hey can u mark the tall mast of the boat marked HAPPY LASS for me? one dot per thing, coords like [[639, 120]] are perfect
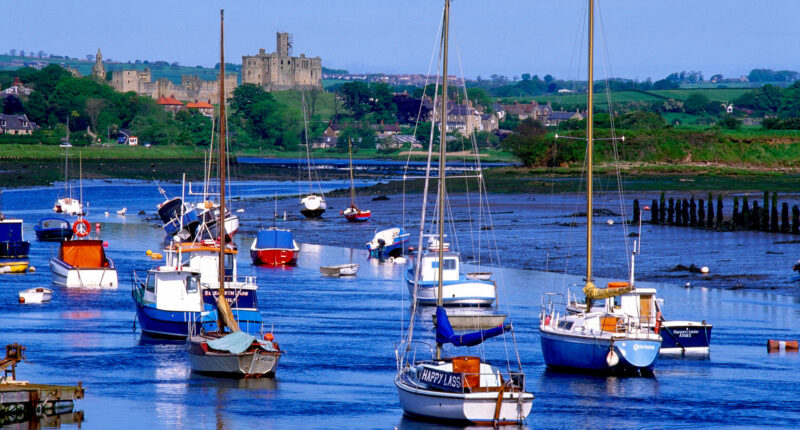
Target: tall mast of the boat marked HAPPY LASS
[[442, 155]]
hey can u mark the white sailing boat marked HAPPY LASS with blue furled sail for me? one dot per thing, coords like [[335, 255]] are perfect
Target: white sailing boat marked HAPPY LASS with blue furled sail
[[461, 388]]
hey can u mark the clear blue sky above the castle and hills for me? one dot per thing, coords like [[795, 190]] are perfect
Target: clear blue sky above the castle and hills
[[645, 38]]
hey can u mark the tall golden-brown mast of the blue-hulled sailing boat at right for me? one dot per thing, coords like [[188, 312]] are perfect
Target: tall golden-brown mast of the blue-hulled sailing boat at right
[[589, 142]]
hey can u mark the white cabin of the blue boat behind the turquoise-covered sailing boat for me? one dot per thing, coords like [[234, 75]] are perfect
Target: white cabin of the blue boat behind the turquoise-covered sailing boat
[[174, 289]]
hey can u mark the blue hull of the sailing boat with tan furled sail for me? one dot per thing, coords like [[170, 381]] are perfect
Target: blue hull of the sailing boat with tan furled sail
[[589, 353]]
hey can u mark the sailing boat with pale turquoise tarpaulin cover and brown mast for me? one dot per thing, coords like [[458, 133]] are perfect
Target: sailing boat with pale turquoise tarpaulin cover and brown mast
[[221, 347]]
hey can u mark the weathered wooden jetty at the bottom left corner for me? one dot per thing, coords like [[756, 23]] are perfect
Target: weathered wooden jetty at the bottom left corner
[[21, 400]]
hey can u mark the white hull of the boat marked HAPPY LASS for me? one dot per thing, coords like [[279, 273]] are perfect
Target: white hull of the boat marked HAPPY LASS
[[472, 408]]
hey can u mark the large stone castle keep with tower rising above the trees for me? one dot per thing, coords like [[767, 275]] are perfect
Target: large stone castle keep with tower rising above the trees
[[280, 70]]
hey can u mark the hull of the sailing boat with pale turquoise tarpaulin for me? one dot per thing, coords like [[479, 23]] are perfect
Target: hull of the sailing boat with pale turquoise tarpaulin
[[252, 364]]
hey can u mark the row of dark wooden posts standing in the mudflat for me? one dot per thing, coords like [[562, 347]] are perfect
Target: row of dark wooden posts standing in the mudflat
[[701, 214]]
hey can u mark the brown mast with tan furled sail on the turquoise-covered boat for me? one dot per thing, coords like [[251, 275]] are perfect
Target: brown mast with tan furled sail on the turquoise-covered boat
[[224, 314]]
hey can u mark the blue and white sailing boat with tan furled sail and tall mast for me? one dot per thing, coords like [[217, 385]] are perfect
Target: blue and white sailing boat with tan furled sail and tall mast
[[600, 340]]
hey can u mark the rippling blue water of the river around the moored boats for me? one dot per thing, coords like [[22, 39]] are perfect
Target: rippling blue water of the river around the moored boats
[[340, 334]]
